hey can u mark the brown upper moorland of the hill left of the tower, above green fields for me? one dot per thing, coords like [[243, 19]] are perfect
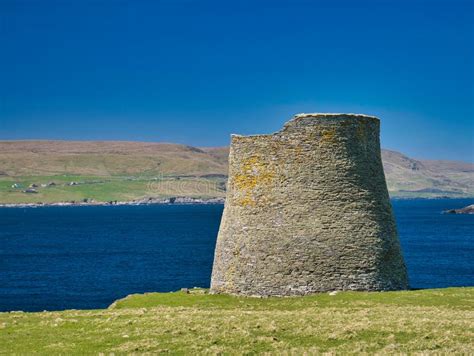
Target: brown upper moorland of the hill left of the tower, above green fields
[[105, 158]]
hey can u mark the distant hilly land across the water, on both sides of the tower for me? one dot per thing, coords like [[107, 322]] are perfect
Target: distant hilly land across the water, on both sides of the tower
[[35, 172]]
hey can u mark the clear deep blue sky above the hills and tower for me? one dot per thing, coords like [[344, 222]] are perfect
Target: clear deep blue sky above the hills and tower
[[196, 71]]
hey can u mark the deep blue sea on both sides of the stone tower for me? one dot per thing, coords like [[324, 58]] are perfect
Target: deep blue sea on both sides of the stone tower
[[55, 258]]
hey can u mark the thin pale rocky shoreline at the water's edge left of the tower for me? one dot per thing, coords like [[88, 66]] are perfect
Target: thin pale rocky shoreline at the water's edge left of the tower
[[146, 201]]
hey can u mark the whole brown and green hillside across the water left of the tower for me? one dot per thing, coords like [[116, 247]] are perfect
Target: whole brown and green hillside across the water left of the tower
[[107, 171]]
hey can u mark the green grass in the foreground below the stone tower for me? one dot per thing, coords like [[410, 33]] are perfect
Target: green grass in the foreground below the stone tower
[[428, 321]]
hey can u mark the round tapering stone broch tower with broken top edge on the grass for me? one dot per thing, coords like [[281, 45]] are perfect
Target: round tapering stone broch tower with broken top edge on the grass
[[308, 210]]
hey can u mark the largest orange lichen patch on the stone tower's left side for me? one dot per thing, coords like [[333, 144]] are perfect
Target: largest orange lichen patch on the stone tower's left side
[[253, 173]]
